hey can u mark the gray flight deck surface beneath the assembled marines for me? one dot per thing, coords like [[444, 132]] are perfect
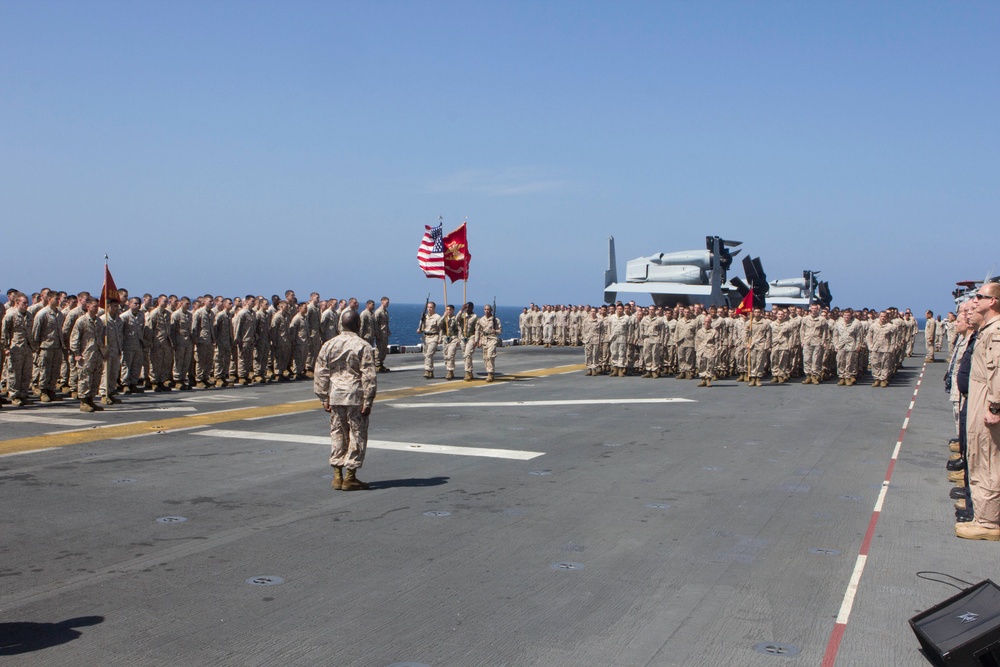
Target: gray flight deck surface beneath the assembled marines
[[683, 533]]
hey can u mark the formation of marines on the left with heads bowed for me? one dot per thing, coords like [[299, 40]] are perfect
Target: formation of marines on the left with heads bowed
[[54, 344]]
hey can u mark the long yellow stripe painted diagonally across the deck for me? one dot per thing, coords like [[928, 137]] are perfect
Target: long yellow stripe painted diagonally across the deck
[[108, 432]]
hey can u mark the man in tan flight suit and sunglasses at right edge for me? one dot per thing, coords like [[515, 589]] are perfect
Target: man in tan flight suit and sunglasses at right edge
[[983, 419]]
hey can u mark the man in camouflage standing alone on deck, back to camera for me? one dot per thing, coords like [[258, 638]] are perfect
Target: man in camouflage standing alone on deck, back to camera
[[346, 381]]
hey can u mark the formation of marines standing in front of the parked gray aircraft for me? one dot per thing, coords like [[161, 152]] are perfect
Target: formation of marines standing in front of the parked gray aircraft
[[709, 343]]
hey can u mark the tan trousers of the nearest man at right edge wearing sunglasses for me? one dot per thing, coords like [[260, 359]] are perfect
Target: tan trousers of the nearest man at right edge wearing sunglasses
[[983, 457]]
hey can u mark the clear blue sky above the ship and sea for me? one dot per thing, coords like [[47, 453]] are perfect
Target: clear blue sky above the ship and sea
[[229, 147]]
